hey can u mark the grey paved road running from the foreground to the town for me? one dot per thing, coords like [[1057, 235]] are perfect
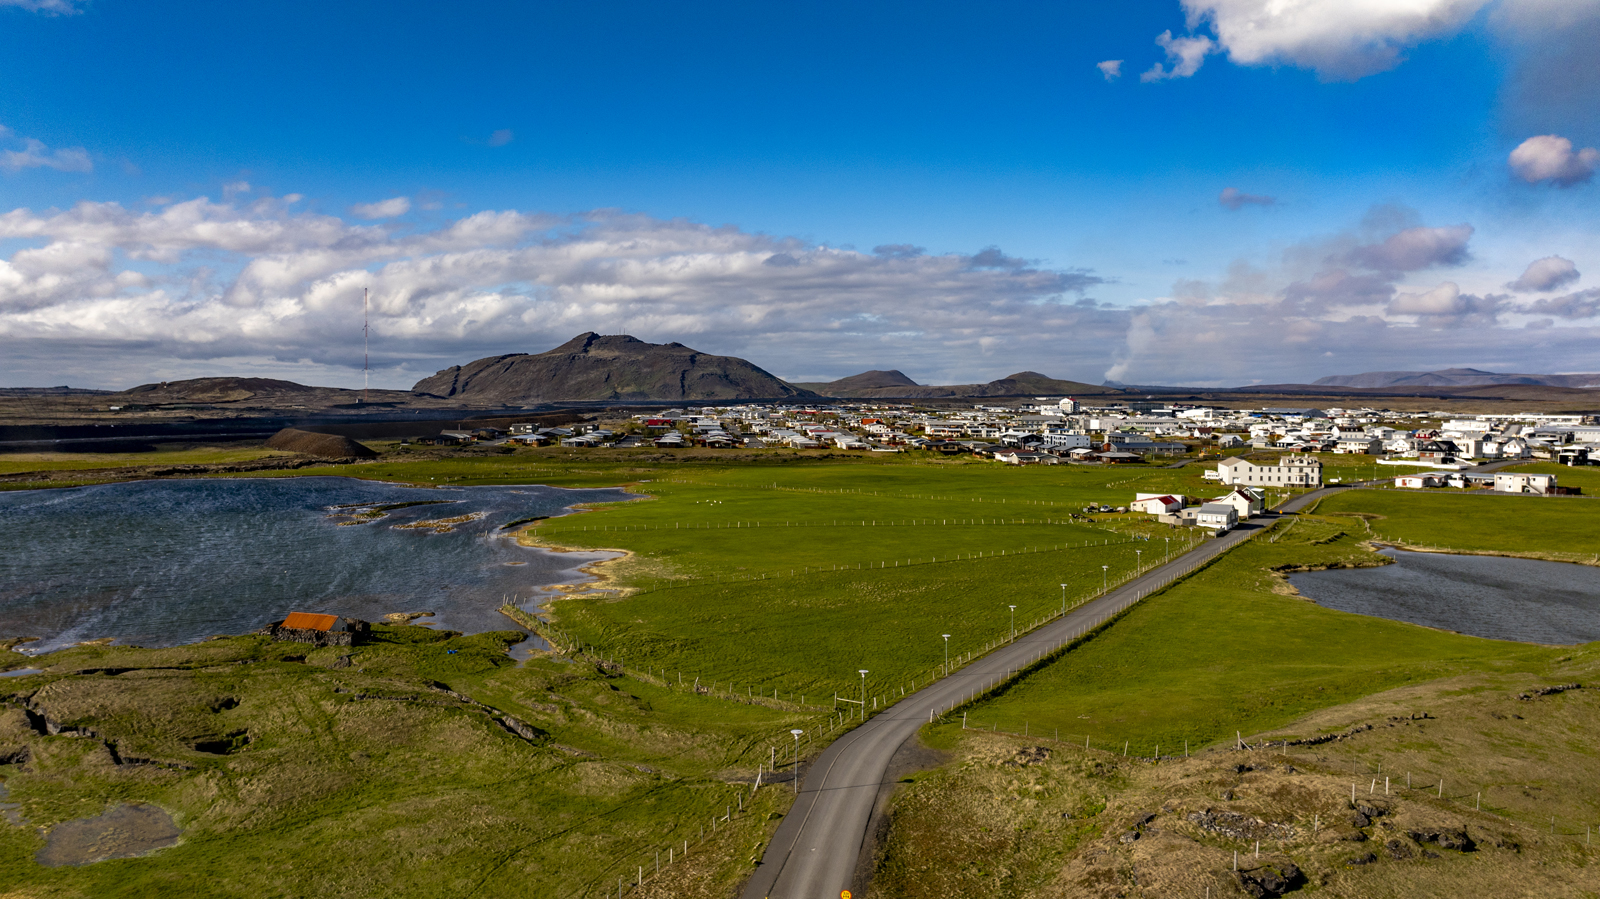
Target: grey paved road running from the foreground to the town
[[815, 852]]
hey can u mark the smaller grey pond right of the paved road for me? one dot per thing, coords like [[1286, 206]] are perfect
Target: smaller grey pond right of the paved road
[[1484, 596]]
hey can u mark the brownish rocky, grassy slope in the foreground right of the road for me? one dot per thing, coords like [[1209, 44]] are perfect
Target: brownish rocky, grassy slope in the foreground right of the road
[[1329, 813]]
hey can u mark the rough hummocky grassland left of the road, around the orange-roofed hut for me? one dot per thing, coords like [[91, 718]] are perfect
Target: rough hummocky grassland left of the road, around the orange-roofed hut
[[374, 781]]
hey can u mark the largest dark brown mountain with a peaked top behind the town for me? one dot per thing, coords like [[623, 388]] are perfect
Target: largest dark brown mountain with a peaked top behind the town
[[617, 367]]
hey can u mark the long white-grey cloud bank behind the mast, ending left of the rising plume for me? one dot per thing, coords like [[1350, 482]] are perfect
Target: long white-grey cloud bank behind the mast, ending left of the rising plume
[[106, 287]]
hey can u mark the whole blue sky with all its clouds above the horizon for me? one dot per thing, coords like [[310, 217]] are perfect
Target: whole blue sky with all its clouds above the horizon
[[204, 188]]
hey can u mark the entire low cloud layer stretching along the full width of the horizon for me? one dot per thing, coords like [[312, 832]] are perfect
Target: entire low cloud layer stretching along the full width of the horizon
[[102, 295]]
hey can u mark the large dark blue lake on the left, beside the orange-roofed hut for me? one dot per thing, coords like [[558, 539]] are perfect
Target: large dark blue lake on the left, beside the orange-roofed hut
[[159, 564]]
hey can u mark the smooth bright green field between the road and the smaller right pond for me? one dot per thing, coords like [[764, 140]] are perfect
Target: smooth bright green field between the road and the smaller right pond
[[1230, 650]]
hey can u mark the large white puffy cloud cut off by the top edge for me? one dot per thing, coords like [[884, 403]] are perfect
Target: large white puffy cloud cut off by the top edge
[[1338, 39]]
